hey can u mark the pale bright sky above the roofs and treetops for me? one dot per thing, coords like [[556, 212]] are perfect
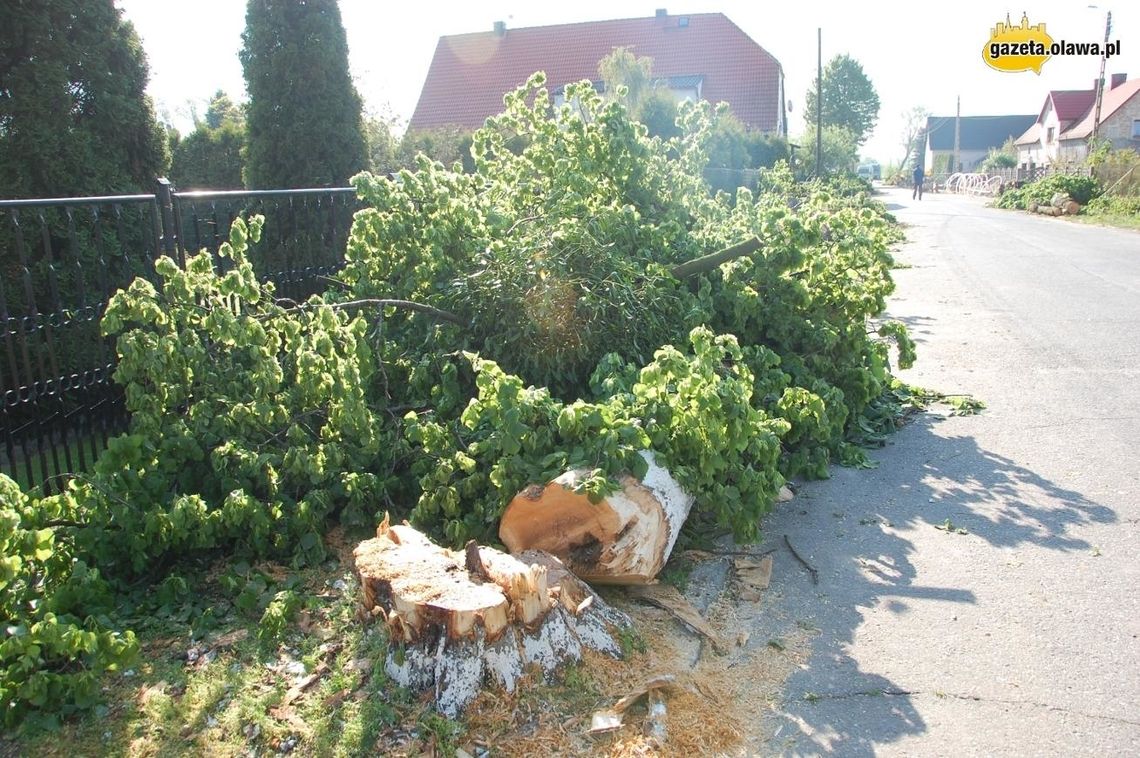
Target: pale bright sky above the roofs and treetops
[[915, 54]]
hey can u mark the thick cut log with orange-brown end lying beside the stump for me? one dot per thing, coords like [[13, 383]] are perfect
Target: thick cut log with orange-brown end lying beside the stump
[[624, 540]]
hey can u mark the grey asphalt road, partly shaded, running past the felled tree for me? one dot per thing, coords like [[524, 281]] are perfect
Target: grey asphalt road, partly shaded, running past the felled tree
[[1021, 637]]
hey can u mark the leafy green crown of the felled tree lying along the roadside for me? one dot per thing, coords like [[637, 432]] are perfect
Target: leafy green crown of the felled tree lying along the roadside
[[255, 423]]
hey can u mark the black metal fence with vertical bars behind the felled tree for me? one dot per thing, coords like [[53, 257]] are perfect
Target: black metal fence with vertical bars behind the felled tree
[[62, 259]]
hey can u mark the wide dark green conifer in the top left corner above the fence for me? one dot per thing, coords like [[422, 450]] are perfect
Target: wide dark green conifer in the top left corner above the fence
[[75, 118]]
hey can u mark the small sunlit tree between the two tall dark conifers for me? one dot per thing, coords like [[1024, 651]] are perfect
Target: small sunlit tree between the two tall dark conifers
[[210, 158]]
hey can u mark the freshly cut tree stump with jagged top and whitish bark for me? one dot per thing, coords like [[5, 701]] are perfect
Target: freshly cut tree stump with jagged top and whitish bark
[[457, 620]]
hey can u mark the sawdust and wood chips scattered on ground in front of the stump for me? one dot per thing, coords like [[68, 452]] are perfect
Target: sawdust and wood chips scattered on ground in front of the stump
[[714, 708]]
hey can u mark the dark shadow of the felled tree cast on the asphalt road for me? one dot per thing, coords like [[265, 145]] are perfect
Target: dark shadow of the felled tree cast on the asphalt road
[[857, 529]]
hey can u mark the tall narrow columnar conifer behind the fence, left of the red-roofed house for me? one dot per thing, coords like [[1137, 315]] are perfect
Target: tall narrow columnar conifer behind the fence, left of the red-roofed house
[[304, 123]]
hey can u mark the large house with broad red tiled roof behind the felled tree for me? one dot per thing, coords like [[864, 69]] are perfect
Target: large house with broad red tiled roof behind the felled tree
[[701, 56]]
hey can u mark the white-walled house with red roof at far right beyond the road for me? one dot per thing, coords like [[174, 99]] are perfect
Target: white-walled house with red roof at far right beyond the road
[[1062, 132]]
